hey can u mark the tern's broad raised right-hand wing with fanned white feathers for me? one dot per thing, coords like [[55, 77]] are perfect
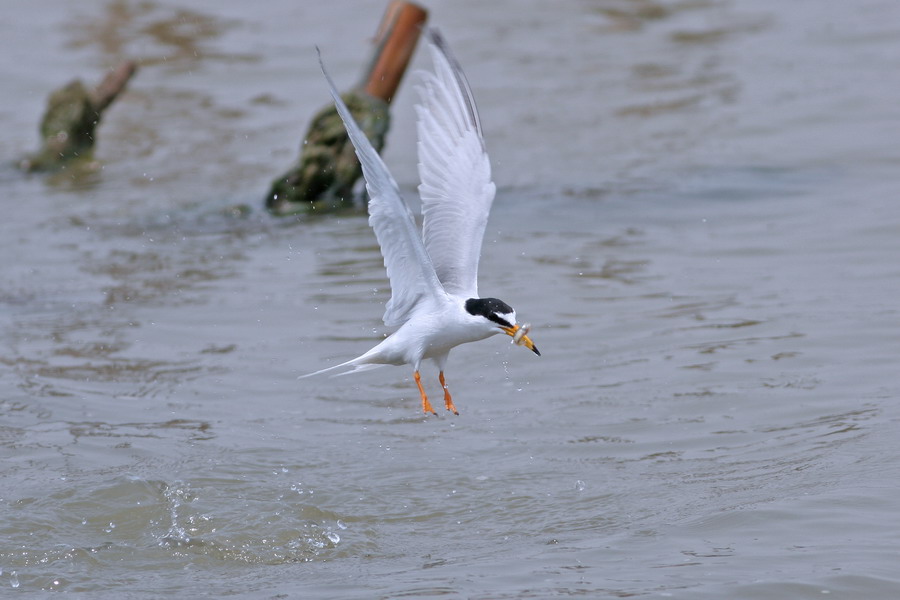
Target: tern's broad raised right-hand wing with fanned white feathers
[[456, 188]]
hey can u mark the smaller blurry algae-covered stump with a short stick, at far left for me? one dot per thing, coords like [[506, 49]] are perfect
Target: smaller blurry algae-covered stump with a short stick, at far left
[[70, 121]]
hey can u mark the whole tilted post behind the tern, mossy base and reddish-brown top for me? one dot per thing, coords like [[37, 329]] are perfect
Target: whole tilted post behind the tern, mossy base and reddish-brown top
[[327, 169]]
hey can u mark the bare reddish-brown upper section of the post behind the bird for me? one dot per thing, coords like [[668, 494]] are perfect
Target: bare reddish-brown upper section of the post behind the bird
[[395, 42]]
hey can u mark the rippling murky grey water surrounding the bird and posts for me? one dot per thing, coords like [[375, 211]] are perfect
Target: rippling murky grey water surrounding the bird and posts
[[697, 210]]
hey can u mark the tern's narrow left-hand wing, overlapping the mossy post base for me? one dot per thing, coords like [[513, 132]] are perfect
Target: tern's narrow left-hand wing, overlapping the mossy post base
[[408, 265]]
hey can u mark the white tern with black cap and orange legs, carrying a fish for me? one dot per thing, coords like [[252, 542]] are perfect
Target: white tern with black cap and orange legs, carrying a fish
[[433, 274]]
